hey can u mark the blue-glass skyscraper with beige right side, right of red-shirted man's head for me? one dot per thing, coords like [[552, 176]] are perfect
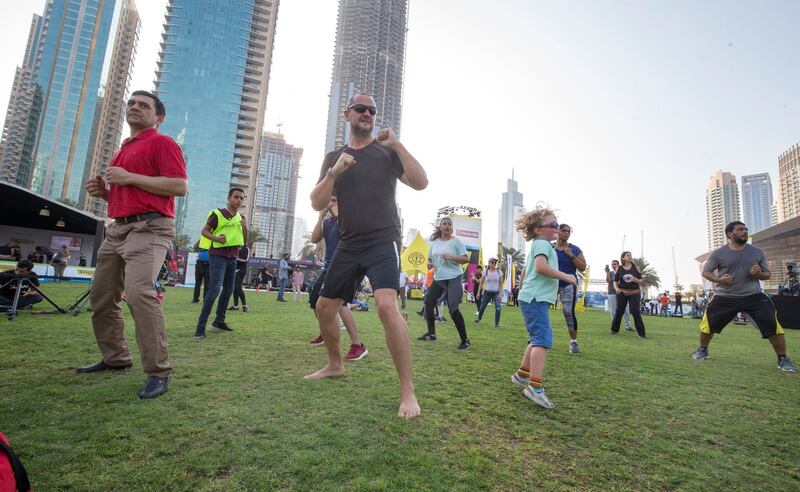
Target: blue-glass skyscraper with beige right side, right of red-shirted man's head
[[213, 77]]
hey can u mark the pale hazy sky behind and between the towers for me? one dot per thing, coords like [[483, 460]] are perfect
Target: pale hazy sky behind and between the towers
[[613, 112]]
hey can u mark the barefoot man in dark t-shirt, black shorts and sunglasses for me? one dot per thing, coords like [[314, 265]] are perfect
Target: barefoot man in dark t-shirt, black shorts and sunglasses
[[364, 175]]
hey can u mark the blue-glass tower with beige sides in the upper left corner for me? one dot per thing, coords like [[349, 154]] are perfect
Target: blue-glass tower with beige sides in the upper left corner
[[79, 57]]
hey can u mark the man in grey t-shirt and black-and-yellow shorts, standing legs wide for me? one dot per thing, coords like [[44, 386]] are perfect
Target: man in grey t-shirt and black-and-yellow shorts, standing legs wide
[[739, 267]]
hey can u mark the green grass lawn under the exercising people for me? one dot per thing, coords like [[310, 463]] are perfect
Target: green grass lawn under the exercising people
[[631, 414]]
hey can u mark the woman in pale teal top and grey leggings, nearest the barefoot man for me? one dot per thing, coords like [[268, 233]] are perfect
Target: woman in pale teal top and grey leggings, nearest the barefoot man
[[448, 254]]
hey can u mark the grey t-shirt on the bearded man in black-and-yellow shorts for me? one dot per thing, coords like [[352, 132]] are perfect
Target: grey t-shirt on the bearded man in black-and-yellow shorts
[[737, 264]]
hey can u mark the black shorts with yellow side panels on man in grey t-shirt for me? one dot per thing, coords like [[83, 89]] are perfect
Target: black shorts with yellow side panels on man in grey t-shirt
[[758, 307]]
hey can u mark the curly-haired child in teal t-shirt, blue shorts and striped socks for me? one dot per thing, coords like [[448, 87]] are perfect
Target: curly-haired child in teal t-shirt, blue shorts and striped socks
[[537, 294]]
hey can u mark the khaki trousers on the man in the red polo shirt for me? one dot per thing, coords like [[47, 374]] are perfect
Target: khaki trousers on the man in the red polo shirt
[[129, 261]]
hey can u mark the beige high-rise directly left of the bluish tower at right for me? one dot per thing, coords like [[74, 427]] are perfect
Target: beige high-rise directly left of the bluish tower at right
[[722, 206]]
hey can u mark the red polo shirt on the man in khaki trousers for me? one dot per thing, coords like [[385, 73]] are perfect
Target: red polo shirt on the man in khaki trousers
[[151, 154]]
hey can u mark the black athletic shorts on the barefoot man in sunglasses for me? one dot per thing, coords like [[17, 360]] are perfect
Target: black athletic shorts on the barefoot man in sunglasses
[[381, 263]]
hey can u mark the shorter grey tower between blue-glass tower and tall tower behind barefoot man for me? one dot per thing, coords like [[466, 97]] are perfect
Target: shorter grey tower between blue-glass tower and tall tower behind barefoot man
[[275, 195]]
